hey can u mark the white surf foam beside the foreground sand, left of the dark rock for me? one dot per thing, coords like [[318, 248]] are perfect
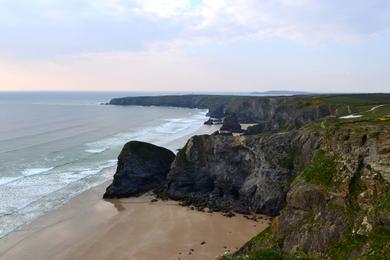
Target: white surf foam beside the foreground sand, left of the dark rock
[[27, 198]]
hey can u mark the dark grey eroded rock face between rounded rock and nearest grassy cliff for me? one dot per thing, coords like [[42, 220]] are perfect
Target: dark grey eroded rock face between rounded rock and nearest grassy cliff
[[243, 174]]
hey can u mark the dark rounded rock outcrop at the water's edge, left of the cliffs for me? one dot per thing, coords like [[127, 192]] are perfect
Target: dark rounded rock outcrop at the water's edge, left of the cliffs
[[142, 167]]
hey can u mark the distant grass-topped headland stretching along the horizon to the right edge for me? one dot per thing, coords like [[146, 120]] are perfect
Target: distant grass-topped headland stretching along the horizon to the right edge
[[270, 113]]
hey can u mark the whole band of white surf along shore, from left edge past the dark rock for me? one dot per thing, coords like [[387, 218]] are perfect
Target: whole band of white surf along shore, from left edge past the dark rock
[[41, 189]]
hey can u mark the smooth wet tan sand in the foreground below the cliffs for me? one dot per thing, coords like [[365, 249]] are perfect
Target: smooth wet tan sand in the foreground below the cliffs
[[88, 227]]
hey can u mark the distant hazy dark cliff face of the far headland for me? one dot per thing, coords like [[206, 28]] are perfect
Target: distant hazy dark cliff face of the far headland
[[272, 113]]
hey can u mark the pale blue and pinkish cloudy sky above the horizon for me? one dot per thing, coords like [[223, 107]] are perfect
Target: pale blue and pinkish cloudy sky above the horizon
[[195, 45]]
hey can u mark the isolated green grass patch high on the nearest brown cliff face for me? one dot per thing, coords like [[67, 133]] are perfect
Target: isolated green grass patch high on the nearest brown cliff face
[[320, 171]]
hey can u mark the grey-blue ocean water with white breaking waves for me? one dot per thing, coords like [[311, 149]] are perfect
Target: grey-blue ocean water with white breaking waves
[[54, 146]]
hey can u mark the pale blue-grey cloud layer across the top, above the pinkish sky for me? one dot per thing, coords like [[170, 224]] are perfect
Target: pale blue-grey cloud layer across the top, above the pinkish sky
[[61, 27]]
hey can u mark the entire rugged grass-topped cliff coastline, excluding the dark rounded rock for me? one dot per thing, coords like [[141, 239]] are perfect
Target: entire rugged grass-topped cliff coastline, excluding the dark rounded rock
[[327, 179]]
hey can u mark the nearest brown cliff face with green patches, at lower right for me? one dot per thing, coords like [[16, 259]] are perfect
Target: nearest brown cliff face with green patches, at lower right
[[339, 205]]
